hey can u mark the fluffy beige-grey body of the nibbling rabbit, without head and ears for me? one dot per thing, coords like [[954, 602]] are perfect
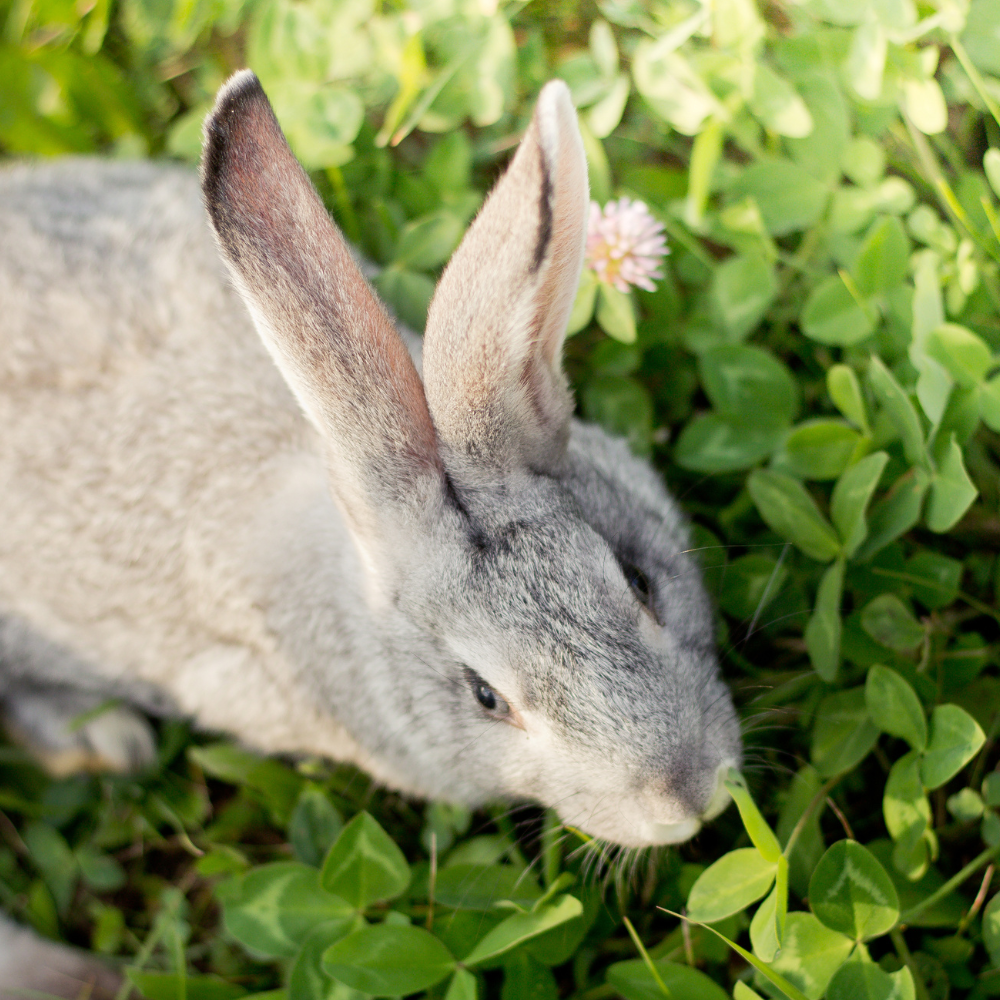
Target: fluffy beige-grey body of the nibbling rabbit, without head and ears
[[157, 470]]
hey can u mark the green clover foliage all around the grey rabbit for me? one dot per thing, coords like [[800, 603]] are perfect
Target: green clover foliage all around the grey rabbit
[[815, 376]]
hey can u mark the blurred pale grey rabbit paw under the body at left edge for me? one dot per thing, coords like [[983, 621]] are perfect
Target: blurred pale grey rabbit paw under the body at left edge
[[71, 732]]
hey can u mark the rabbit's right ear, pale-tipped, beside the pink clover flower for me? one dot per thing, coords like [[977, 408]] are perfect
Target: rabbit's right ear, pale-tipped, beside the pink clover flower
[[492, 351]]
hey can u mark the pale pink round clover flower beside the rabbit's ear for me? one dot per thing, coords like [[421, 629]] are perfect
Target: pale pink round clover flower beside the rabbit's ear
[[625, 244]]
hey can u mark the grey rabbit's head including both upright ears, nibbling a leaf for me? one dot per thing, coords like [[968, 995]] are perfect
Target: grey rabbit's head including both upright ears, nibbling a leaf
[[545, 634]]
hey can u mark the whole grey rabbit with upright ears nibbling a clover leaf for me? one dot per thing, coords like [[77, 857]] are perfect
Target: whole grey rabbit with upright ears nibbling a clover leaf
[[291, 536]]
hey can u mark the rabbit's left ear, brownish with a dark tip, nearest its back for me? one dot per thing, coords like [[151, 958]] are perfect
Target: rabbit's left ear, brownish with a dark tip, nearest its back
[[335, 346]]
